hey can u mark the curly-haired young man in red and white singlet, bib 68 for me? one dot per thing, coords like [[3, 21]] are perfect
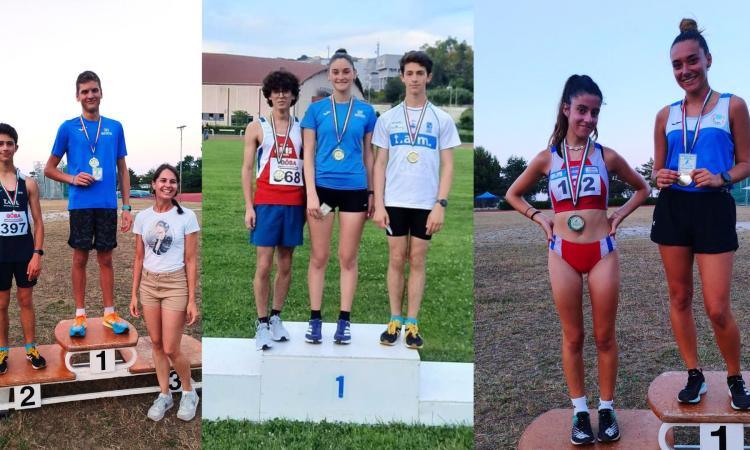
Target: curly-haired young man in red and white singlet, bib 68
[[276, 213]]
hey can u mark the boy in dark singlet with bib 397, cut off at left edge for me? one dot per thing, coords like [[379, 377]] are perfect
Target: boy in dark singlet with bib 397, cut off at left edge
[[20, 248]]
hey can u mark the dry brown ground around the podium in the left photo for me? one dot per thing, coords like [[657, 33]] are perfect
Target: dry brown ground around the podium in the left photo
[[105, 423]]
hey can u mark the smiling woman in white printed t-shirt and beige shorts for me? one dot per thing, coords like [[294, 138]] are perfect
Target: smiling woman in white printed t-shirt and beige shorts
[[165, 273]]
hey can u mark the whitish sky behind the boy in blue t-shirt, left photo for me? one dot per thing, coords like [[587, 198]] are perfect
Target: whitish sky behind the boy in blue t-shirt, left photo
[[147, 54]]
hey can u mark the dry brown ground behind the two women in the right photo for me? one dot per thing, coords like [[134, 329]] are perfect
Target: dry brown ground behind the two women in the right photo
[[518, 370]]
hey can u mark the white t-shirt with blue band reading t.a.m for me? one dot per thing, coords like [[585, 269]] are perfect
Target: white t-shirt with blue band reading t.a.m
[[413, 172]]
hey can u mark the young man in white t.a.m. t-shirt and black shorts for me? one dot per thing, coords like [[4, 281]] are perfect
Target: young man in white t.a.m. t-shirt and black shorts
[[412, 178]]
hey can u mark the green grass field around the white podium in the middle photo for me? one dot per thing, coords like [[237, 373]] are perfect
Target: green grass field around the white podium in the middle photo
[[446, 319]]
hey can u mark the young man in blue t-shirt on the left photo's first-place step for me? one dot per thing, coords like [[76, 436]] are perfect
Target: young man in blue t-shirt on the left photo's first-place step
[[95, 148]]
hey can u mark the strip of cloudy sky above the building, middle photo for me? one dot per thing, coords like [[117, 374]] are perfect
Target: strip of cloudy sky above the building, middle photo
[[289, 30]]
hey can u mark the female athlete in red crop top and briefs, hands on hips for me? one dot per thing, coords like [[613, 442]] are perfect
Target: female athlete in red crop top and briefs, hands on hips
[[580, 235]]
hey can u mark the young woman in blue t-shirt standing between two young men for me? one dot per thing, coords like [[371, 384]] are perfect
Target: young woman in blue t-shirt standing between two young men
[[337, 131]]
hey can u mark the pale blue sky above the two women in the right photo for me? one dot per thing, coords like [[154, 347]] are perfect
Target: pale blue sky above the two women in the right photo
[[525, 51]]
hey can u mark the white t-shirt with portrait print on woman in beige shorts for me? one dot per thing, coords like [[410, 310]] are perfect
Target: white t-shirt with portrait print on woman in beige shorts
[[163, 236]]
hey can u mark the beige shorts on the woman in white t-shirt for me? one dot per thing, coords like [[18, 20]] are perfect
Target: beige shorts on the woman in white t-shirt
[[166, 290]]
